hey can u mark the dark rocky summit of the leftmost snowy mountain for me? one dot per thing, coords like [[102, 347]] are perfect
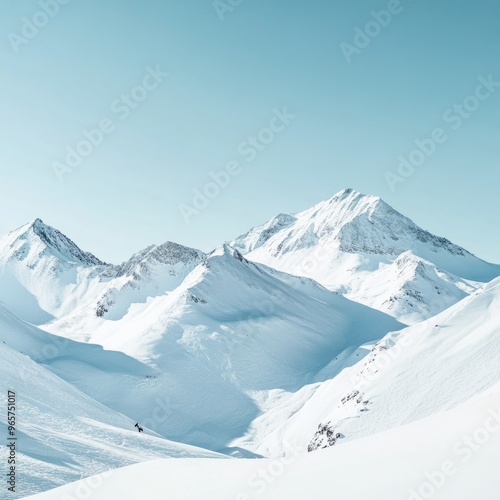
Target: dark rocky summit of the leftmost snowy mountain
[[55, 241]]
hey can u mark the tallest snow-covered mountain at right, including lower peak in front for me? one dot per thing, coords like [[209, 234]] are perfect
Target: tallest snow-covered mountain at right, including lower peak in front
[[361, 247]]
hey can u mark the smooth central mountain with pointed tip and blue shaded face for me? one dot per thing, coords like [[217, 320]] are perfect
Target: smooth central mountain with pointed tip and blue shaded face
[[230, 334]]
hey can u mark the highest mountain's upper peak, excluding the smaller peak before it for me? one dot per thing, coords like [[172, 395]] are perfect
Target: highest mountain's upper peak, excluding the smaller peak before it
[[352, 228]]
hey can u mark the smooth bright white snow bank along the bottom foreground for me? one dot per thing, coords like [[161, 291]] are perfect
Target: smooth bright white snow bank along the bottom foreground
[[403, 463]]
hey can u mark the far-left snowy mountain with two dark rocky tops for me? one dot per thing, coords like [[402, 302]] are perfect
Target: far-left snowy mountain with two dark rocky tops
[[44, 276]]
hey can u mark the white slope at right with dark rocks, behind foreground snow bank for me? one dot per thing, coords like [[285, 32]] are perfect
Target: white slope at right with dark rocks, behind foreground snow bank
[[411, 374]]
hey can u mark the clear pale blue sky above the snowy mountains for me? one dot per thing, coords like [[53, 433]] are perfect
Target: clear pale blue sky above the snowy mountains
[[353, 120]]
